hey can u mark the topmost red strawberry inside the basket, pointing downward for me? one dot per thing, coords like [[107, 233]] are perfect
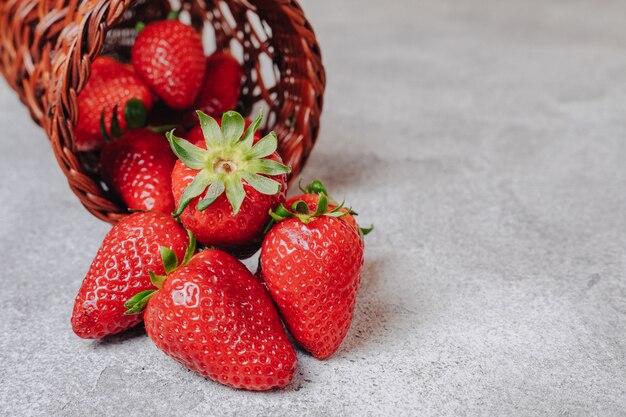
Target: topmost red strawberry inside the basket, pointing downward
[[169, 56]]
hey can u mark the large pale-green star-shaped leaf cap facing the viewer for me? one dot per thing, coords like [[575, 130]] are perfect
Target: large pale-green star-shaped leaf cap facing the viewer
[[231, 158]]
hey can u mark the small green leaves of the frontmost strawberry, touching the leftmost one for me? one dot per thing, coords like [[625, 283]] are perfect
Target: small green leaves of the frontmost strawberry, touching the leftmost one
[[138, 302]]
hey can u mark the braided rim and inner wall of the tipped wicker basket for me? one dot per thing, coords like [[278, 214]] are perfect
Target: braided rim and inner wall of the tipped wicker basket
[[283, 75]]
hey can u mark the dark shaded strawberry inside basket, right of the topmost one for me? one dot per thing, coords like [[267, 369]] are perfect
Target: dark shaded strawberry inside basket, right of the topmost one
[[222, 85]]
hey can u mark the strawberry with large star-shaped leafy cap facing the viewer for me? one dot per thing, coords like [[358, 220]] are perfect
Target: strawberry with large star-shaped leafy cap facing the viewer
[[226, 184]]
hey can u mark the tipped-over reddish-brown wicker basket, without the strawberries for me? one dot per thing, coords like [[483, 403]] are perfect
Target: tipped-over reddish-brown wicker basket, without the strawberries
[[47, 46]]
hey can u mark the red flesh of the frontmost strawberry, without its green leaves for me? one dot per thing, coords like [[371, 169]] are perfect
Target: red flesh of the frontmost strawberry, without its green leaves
[[215, 318]]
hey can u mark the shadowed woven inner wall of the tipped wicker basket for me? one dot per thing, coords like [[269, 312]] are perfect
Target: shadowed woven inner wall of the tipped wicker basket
[[226, 26]]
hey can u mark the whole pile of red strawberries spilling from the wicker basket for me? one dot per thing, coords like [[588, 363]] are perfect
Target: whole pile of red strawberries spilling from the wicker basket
[[202, 201]]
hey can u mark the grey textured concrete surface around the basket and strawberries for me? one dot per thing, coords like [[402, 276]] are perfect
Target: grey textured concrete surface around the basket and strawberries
[[487, 142]]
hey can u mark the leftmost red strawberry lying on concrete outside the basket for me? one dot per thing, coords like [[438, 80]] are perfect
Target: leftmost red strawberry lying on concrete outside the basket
[[121, 269]]
